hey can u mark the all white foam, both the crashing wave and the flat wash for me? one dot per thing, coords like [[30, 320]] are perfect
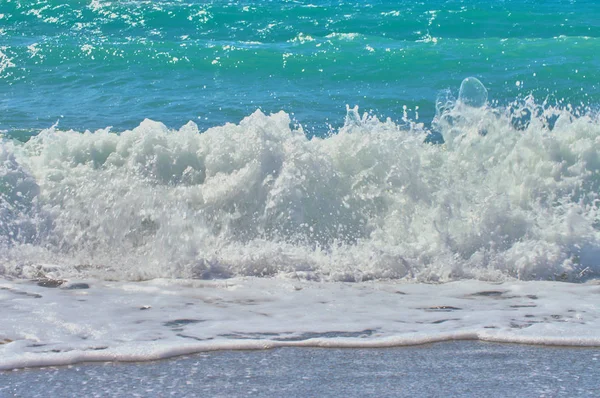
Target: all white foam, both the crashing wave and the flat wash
[[511, 194]]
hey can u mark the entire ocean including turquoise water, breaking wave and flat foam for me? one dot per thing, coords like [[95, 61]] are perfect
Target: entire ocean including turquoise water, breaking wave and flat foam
[[180, 176]]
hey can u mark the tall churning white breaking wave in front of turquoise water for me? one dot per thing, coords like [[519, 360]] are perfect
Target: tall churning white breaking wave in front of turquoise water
[[511, 194]]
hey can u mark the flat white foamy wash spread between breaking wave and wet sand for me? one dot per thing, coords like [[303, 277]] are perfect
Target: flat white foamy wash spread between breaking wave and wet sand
[[134, 321]]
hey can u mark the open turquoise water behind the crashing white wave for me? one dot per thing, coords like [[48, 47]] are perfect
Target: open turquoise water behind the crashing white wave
[[93, 64]]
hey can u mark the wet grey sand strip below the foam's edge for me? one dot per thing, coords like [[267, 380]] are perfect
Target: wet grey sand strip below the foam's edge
[[452, 369]]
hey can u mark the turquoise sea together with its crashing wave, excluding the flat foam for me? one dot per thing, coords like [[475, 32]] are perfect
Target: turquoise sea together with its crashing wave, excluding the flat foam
[[212, 139]]
